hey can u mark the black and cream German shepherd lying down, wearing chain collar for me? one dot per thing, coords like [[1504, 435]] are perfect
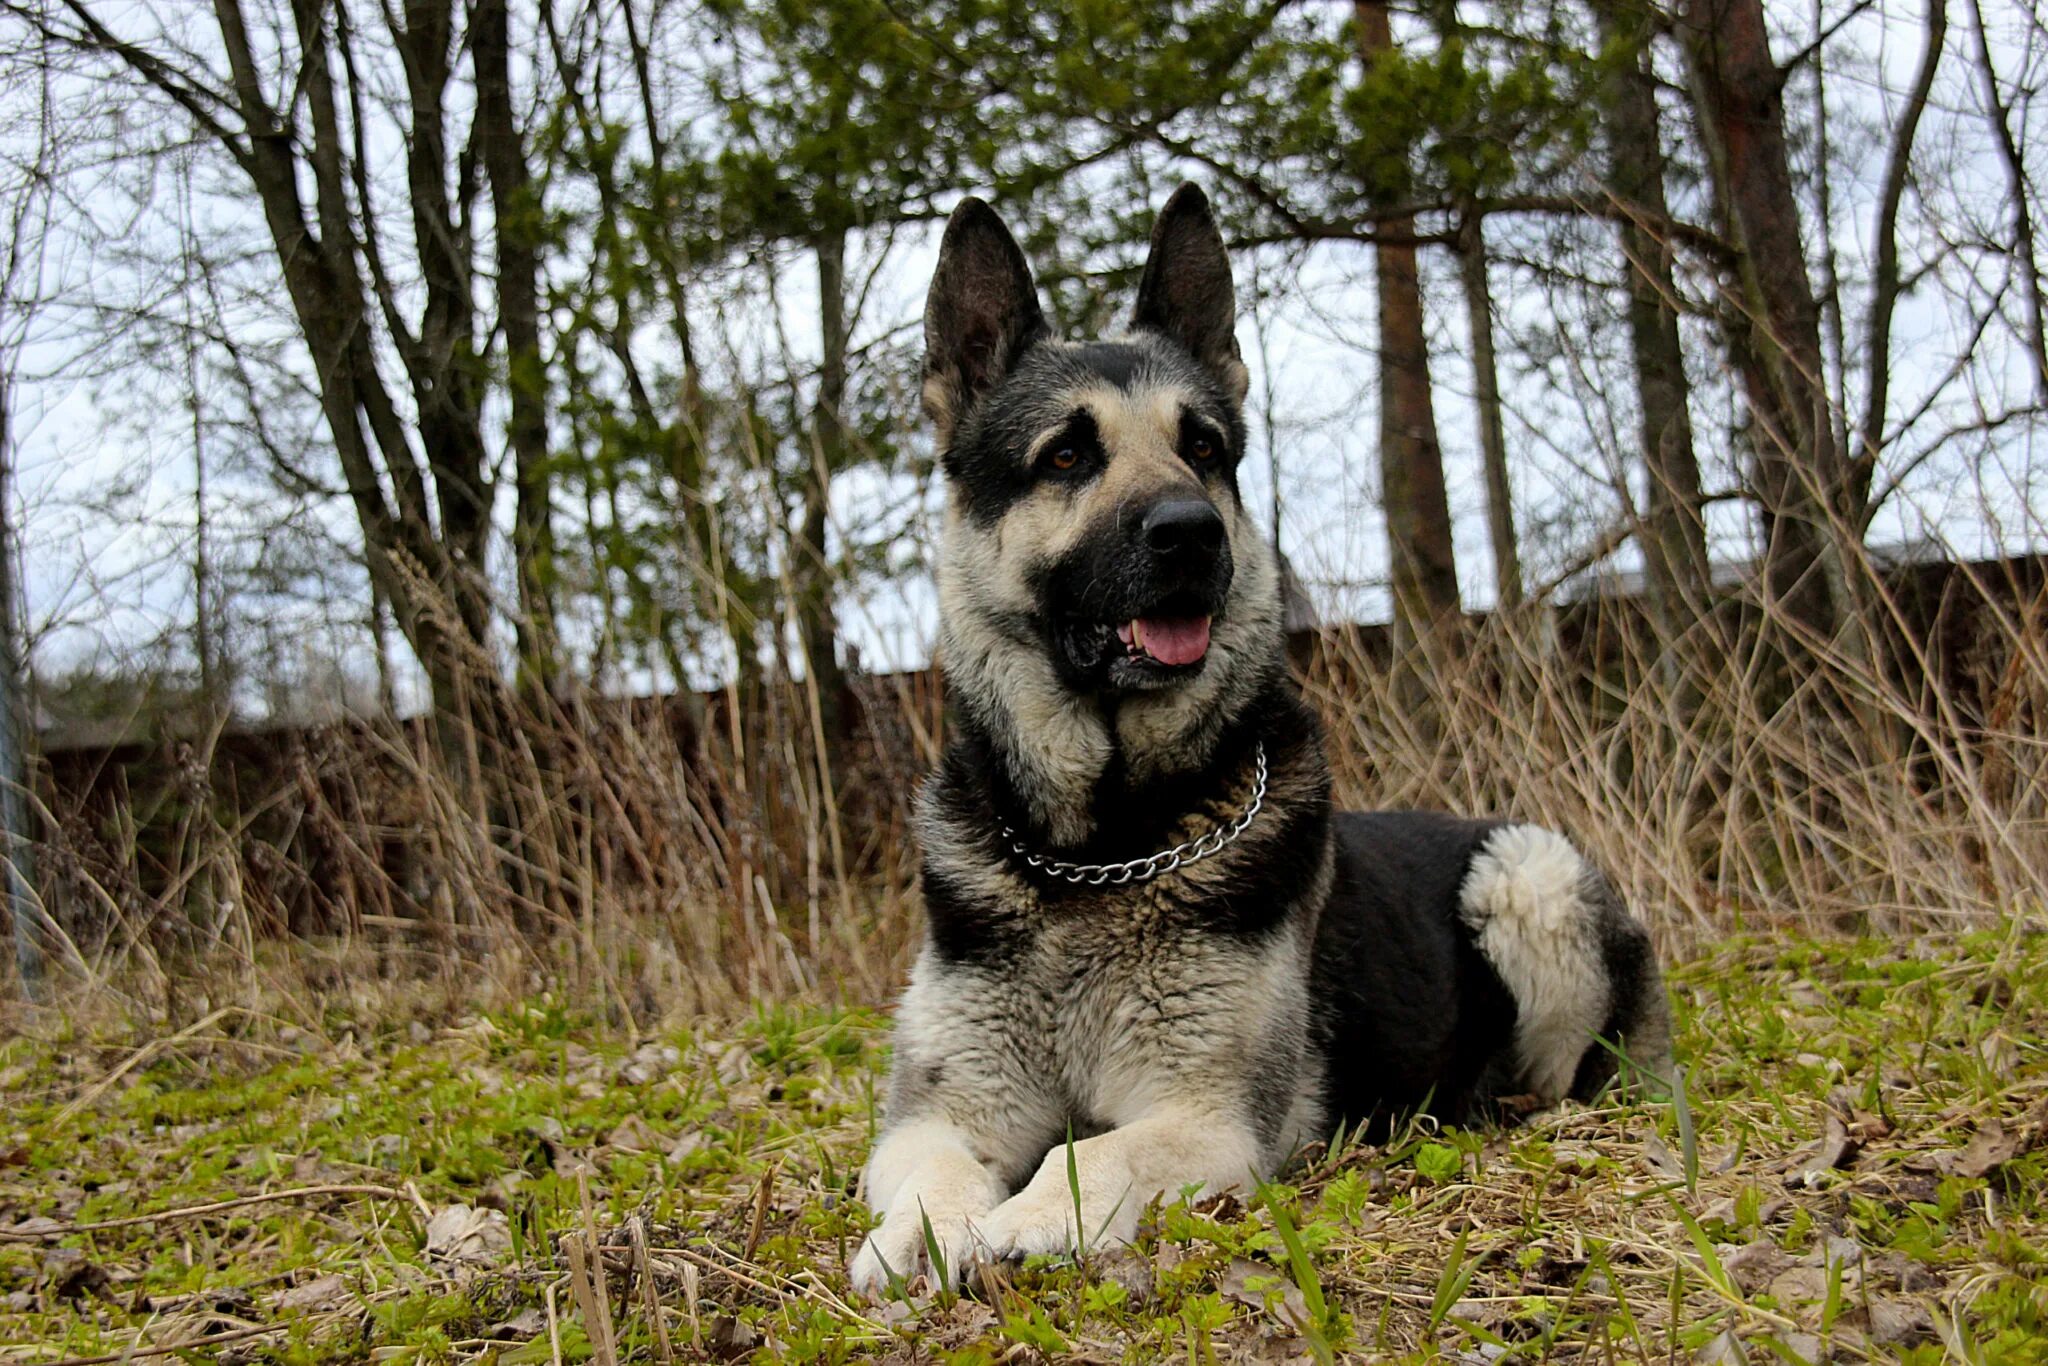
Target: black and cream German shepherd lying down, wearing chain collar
[[1148, 933]]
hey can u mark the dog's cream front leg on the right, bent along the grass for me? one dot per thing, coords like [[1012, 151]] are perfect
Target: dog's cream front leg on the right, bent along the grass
[[1117, 1177]]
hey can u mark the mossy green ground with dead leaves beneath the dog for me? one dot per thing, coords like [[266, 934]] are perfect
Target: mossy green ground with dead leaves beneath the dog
[[1857, 1166]]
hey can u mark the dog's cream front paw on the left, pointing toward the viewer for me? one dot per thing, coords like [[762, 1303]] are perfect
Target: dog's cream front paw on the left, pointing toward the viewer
[[923, 1172]]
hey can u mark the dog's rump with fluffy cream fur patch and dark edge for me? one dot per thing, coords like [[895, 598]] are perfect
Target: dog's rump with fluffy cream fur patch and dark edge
[[1576, 962]]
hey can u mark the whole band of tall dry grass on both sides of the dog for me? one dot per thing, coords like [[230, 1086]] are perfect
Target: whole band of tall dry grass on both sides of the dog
[[693, 859]]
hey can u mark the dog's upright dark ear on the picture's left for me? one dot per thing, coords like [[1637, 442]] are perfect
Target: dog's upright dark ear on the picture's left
[[980, 318]]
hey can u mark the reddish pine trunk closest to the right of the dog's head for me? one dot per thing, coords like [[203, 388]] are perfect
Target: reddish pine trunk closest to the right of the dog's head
[[1412, 464]]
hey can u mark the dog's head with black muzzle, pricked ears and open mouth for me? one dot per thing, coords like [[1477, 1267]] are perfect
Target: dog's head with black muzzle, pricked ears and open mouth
[[1093, 486]]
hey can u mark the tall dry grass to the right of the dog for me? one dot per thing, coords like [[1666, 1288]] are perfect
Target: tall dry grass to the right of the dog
[[1887, 787]]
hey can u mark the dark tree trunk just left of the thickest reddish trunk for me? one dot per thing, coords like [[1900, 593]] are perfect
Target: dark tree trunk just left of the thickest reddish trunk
[[1674, 552]]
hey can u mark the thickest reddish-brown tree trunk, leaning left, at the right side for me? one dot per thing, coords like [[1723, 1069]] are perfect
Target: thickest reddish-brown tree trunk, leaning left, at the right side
[[1801, 476]]
